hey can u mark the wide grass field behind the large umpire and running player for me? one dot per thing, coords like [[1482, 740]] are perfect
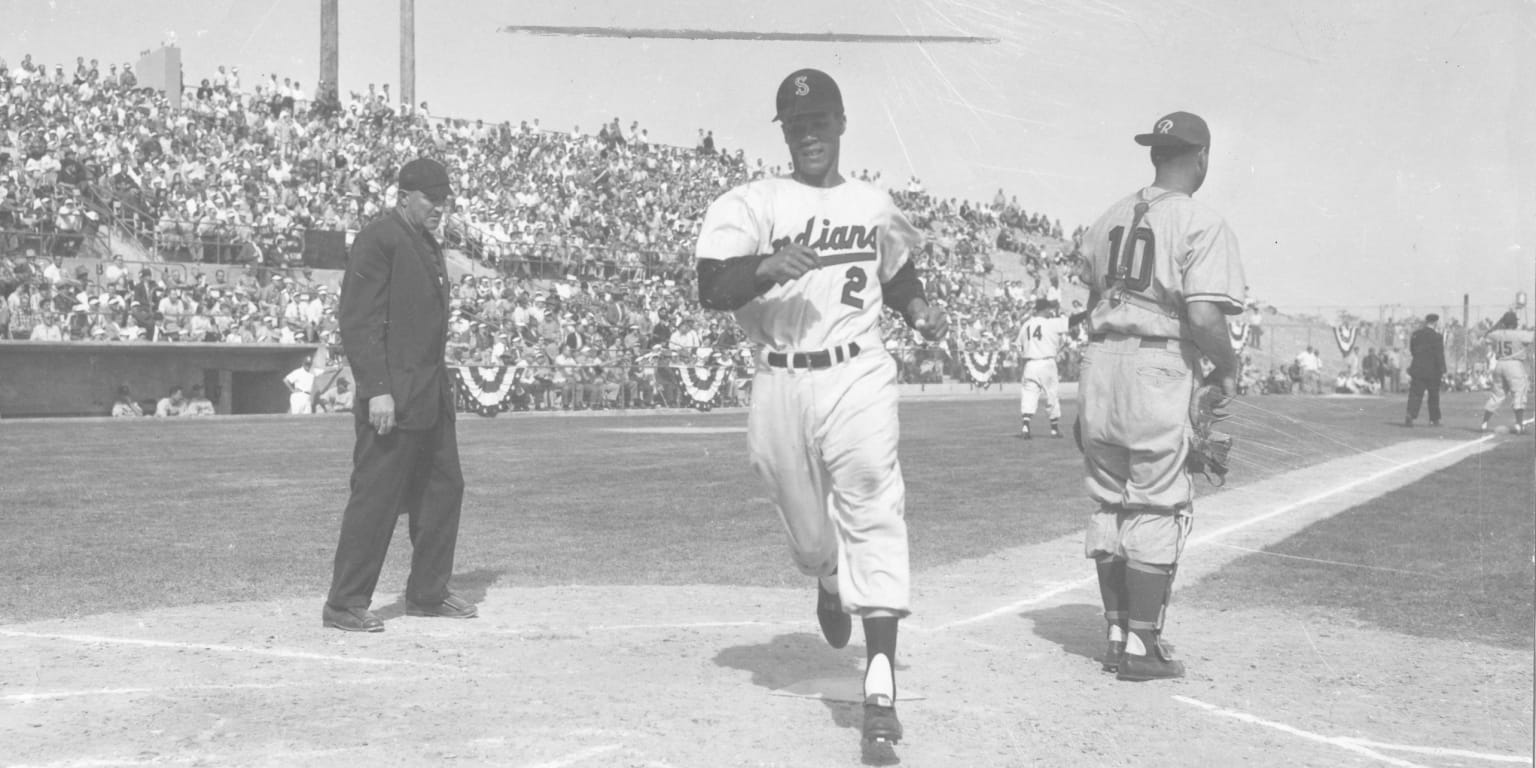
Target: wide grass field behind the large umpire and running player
[[116, 517]]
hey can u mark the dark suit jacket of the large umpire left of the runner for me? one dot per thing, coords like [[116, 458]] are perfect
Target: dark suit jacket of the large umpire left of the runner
[[396, 320]]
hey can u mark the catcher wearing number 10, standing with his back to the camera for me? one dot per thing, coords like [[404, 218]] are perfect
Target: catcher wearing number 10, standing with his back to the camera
[[1165, 273]]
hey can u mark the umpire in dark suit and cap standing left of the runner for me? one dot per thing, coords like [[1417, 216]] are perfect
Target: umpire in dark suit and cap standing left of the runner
[[394, 328]]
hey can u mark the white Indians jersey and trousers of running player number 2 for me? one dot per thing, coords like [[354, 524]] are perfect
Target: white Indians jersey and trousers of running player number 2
[[826, 440]]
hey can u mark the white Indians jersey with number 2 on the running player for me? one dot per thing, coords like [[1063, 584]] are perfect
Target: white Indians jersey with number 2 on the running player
[[856, 230]]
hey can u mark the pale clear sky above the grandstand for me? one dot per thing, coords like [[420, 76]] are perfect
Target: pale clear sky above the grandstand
[[1366, 151]]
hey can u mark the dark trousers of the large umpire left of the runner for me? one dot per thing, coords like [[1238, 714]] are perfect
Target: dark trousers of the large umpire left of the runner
[[406, 472]]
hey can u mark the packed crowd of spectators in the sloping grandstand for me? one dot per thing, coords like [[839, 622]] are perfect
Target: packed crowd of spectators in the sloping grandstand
[[584, 237]]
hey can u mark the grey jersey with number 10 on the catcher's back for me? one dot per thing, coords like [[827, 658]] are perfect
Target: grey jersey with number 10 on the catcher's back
[[1180, 253]]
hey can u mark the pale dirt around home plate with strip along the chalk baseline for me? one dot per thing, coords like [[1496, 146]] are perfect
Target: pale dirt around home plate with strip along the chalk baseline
[[1002, 654]]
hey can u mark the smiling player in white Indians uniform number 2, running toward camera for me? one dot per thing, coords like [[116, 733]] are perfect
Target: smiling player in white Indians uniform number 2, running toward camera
[[806, 265]]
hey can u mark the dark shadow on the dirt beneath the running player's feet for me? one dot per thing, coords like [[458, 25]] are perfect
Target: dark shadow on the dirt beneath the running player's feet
[[796, 658]]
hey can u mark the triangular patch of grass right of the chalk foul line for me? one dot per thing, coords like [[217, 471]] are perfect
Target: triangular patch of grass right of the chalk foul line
[[1466, 534]]
